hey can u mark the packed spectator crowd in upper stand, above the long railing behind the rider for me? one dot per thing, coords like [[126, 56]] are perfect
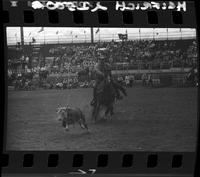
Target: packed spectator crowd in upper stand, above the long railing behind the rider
[[145, 54]]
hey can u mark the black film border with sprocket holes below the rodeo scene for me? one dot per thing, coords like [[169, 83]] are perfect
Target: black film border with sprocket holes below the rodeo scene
[[99, 162]]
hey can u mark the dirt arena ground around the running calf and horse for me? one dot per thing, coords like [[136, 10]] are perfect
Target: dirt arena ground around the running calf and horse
[[148, 119]]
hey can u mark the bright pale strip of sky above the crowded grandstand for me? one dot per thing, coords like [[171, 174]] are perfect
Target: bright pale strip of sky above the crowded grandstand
[[49, 35]]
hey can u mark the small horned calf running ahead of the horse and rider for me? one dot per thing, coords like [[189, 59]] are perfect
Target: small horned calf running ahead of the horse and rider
[[71, 116]]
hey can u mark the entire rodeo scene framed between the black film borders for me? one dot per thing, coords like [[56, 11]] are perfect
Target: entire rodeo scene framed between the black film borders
[[106, 89]]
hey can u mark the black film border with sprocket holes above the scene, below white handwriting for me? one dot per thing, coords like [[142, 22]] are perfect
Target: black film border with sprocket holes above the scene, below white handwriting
[[25, 15]]
